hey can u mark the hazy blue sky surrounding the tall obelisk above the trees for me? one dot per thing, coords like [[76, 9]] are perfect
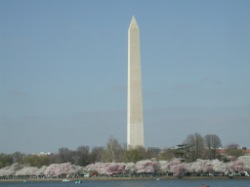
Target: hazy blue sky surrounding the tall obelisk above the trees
[[63, 71]]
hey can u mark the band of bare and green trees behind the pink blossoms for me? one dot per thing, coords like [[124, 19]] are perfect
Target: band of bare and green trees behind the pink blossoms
[[193, 147]]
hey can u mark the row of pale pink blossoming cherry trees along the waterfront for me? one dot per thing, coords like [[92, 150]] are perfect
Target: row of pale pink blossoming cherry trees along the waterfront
[[175, 166]]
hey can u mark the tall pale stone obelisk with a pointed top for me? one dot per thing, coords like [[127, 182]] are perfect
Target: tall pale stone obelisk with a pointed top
[[135, 129]]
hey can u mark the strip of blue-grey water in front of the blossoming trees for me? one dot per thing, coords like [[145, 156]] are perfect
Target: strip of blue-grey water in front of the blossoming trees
[[138, 183]]
